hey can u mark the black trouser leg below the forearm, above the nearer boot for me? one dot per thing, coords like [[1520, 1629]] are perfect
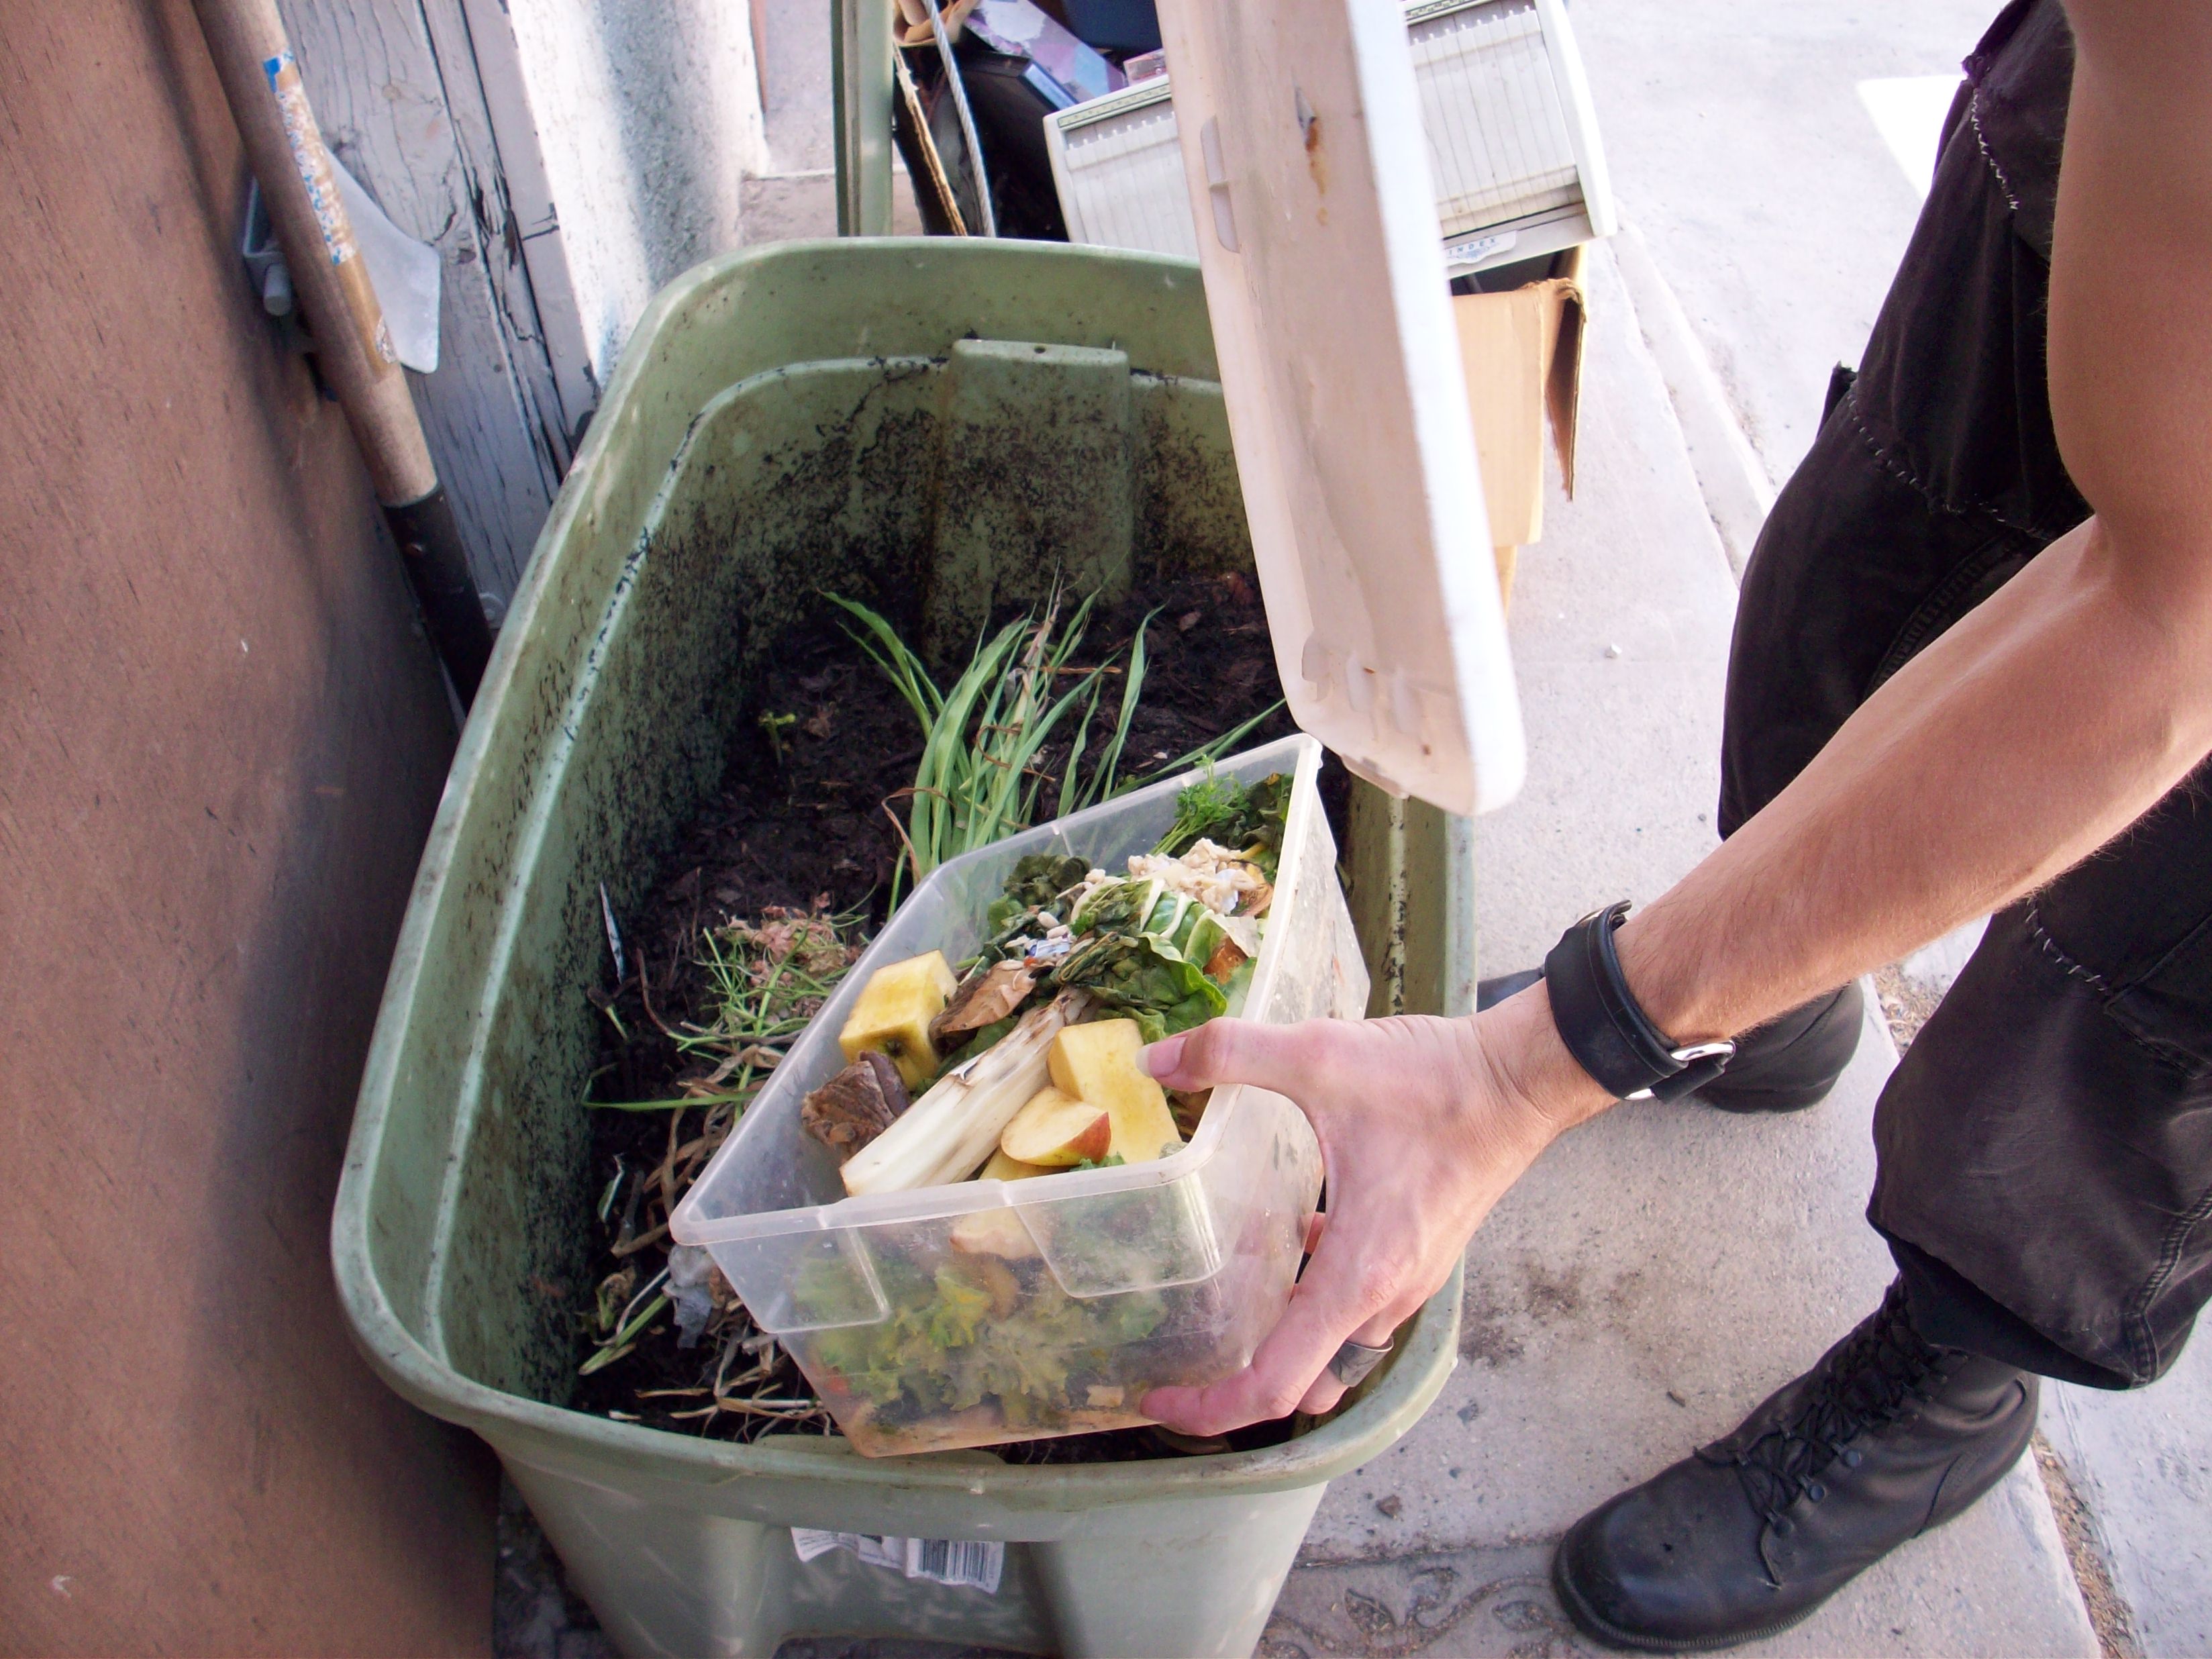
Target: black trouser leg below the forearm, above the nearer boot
[[2049, 1134]]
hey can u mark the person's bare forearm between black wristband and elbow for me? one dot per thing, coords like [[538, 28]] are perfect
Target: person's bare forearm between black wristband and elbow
[[2021, 742]]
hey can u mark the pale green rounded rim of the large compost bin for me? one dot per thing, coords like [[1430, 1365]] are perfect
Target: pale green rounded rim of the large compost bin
[[1384, 1410]]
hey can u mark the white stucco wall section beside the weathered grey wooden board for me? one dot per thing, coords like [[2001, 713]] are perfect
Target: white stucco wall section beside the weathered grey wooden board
[[649, 114]]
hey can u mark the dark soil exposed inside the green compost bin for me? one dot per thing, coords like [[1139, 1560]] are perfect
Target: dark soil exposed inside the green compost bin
[[802, 828]]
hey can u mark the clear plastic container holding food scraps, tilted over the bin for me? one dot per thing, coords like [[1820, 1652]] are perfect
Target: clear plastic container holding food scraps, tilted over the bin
[[1012, 1311]]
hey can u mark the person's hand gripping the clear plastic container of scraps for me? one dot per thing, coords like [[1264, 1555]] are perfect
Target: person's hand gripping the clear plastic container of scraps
[[1423, 1127]]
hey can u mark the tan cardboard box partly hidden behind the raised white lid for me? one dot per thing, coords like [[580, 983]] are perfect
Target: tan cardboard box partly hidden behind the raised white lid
[[1521, 351]]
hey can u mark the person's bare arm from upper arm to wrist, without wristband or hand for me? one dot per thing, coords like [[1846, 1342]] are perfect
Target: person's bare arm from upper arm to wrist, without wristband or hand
[[2063, 707]]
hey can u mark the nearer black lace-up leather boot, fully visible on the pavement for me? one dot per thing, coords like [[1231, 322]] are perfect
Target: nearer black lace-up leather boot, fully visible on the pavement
[[1881, 1441]]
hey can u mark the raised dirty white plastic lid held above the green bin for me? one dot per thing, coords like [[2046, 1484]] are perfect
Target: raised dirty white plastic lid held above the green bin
[[1342, 371]]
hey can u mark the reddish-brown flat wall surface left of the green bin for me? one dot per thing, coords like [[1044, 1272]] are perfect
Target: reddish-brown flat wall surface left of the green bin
[[222, 742]]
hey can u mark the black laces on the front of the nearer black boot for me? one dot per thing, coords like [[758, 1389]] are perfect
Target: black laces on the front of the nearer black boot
[[1884, 1366]]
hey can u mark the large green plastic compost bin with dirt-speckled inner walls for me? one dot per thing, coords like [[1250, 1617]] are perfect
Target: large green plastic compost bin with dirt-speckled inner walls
[[917, 421]]
